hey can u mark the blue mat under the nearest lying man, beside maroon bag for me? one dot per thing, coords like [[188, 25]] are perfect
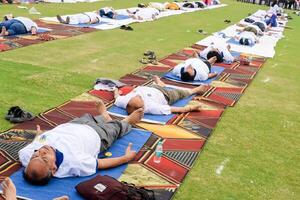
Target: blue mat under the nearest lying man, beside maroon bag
[[66, 186]]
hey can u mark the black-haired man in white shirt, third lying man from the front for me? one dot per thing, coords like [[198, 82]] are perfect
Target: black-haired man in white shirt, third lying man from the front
[[195, 69]]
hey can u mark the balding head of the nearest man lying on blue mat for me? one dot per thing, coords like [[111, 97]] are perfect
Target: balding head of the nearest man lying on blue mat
[[41, 166]]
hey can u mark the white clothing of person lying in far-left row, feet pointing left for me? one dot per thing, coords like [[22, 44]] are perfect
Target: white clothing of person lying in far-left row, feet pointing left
[[84, 18]]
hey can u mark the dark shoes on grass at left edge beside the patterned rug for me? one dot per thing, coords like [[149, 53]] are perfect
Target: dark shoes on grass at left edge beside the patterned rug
[[16, 115]]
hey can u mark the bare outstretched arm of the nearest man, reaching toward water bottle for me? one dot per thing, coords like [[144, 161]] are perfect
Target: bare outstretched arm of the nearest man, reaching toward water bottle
[[105, 163]]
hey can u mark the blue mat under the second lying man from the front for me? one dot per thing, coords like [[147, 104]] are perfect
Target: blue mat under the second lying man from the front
[[158, 119]]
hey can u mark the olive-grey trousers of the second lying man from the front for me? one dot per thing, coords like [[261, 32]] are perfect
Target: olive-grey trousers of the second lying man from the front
[[172, 95]]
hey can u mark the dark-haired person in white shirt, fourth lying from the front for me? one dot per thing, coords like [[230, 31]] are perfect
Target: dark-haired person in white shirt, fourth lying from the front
[[220, 50]]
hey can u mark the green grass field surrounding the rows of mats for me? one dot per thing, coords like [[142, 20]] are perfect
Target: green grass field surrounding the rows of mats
[[257, 142]]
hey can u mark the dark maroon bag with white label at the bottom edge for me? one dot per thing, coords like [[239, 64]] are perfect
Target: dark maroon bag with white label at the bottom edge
[[108, 188]]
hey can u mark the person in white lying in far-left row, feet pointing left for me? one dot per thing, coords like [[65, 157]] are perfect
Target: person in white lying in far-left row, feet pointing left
[[81, 18]]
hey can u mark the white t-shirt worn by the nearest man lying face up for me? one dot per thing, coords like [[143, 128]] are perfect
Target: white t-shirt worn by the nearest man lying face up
[[79, 143]]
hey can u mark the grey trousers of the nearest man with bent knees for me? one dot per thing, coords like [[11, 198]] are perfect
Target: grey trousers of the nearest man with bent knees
[[108, 131]]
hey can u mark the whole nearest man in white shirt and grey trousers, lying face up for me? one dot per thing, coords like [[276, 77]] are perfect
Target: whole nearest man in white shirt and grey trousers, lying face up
[[72, 149]]
